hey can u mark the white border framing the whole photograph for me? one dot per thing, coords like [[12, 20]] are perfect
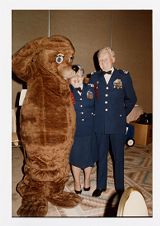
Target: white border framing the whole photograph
[[5, 87]]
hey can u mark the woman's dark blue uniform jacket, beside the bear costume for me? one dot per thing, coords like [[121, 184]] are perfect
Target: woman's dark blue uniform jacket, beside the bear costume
[[84, 107]]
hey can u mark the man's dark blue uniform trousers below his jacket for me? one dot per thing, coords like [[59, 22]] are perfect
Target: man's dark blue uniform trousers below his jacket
[[115, 143]]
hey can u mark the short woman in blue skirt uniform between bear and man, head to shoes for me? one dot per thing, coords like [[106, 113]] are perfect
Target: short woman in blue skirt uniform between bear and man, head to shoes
[[83, 155]]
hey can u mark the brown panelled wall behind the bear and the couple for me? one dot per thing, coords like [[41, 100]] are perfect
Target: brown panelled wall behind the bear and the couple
[[128, 31]]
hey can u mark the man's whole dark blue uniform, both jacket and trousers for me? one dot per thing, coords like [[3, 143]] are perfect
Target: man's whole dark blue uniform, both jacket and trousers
[[112, 105]]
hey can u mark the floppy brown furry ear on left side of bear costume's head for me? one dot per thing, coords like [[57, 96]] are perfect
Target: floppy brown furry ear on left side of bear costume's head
[[22, 60]]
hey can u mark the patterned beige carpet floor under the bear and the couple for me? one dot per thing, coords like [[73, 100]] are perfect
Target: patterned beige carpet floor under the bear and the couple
[[138, 174]]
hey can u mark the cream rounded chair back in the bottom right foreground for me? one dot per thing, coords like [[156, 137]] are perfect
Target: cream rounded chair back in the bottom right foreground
[[132, 203]]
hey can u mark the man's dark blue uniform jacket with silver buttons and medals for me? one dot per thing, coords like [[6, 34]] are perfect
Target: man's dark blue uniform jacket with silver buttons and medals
[[113, 102]]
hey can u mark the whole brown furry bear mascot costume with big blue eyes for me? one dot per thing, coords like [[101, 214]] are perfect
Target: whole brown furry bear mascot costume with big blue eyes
[[47, 123]]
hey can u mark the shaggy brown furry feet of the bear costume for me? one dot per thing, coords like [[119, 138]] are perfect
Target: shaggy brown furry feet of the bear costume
[[35, 197]]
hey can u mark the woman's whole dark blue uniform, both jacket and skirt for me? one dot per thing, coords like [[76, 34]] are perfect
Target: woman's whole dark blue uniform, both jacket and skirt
[[83, 152]]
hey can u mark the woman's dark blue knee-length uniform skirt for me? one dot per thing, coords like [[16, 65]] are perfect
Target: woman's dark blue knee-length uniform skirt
[[84, 152]]
